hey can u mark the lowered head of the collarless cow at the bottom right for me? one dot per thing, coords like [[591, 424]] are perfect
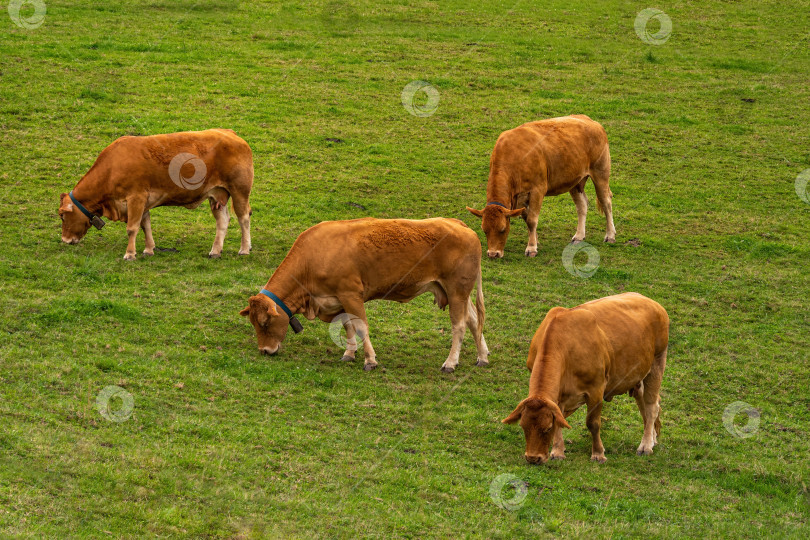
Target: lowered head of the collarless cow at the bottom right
[[538, 418]]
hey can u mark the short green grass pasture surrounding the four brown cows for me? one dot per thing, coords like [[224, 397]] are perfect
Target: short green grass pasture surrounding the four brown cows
[[708, 133]]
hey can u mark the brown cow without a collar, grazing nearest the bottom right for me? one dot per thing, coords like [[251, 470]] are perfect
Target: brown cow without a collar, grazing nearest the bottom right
[[588, 354]]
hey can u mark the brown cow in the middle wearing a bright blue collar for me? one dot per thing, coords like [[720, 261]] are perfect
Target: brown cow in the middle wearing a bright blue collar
[[335, 267]]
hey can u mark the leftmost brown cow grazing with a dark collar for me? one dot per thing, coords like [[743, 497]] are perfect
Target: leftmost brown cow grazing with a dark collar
[[135, 174]]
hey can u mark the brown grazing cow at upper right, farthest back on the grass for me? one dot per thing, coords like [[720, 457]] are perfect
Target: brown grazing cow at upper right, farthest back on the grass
[[541, 159]]
